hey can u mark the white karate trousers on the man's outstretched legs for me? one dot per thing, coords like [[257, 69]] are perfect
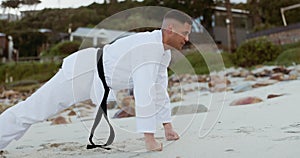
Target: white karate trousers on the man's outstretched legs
[[54, 96]]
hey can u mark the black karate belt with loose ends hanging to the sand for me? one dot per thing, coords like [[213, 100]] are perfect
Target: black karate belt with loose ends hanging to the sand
[[102, 109]]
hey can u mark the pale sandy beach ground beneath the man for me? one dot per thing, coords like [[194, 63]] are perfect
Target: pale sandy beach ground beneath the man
[[267, 129]]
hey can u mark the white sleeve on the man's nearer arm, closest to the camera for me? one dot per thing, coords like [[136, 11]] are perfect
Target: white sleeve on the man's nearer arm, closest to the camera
[[144, 79]]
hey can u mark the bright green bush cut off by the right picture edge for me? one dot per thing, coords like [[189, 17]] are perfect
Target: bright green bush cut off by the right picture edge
[[289, 57]]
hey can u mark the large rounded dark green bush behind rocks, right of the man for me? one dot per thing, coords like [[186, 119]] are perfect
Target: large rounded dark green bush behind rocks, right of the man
[[254, 52]]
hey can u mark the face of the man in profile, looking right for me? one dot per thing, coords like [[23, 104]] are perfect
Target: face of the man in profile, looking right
[[180, 35]]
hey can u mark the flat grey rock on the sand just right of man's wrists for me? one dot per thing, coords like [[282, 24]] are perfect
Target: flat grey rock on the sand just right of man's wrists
[[188, 109]]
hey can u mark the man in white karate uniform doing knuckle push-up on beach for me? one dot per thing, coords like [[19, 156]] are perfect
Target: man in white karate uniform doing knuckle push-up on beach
[[139, 61]]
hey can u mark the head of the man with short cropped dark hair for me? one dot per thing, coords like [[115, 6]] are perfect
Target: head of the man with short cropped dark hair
[[176, 29]]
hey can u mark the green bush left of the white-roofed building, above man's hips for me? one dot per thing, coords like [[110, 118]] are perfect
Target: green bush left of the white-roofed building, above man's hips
[[63, 49]]
